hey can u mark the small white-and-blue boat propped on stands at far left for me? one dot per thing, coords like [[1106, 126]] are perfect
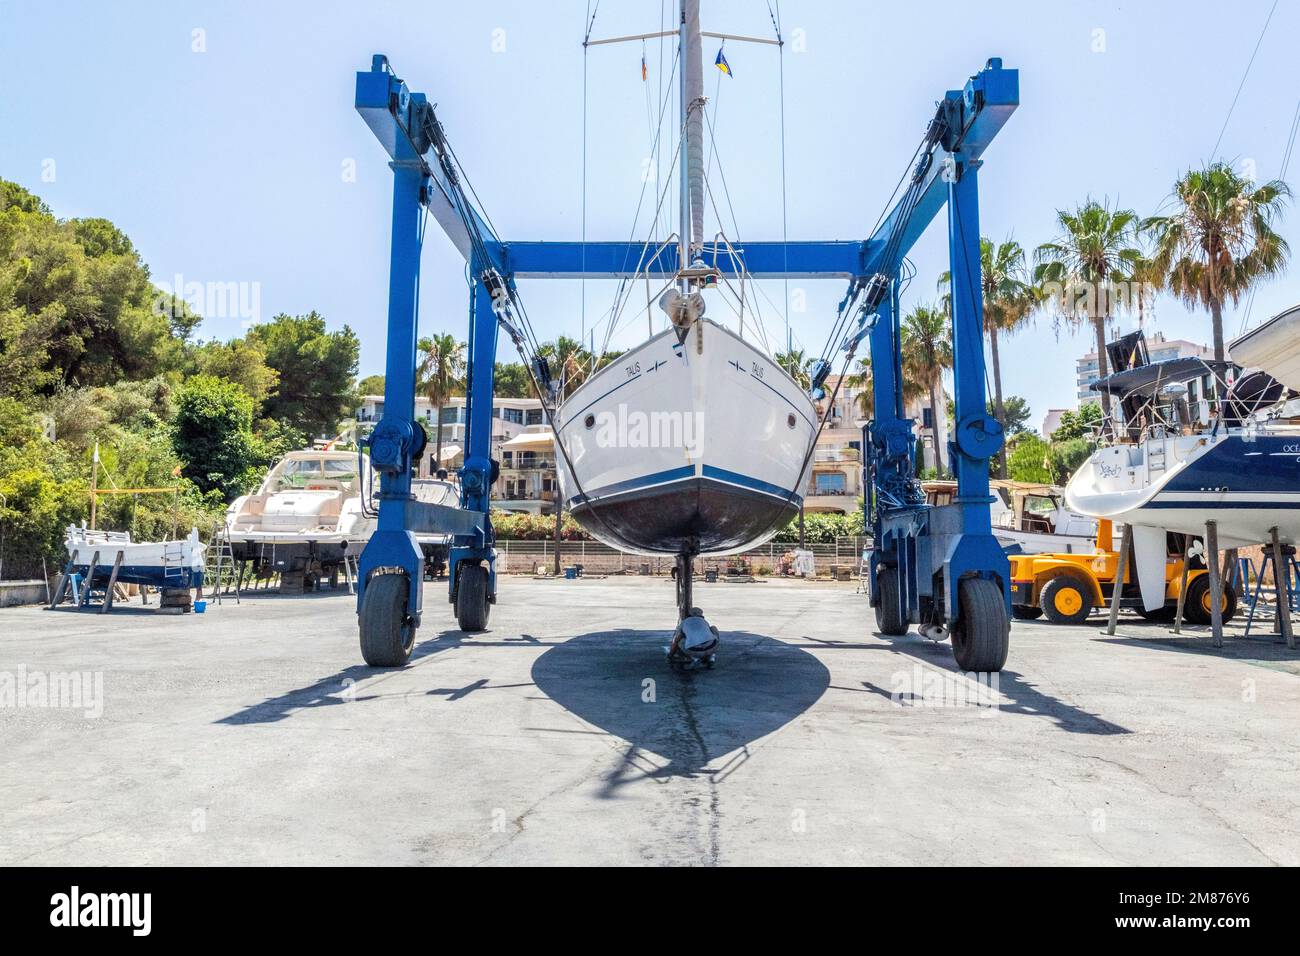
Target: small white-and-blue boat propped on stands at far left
[[155, 564]]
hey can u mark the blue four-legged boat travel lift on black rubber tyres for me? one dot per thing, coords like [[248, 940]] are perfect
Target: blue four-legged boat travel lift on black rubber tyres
[[939, 568]]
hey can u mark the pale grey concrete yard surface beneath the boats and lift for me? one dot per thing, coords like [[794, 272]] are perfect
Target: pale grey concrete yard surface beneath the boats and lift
[[253, 734]]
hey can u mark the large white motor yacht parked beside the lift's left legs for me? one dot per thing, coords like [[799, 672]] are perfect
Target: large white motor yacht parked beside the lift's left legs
[[307, 516]]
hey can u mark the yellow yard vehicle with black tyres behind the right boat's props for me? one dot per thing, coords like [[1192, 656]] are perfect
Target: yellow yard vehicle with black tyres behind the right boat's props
[[1067, 589]]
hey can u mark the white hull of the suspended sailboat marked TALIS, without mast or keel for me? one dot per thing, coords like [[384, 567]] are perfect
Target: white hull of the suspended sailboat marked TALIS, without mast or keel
[[695, 447]]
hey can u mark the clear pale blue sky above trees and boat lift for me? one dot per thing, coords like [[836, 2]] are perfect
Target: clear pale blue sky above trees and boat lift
[[228, 165]]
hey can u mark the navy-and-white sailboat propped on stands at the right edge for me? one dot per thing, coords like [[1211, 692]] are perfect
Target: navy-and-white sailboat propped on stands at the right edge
[[1197, 442]]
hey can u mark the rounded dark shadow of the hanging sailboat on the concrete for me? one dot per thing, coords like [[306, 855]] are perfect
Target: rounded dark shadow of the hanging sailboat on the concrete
[[678, 724]]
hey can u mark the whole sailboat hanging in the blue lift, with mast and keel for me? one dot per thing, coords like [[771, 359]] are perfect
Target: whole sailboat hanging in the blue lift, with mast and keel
[[695, 443]]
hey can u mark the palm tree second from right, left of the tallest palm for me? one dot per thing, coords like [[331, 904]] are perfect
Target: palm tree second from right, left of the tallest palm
[[1080, 271]]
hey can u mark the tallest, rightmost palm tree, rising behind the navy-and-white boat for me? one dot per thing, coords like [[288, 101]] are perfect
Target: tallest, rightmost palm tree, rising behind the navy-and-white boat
[[1220, 240]]
